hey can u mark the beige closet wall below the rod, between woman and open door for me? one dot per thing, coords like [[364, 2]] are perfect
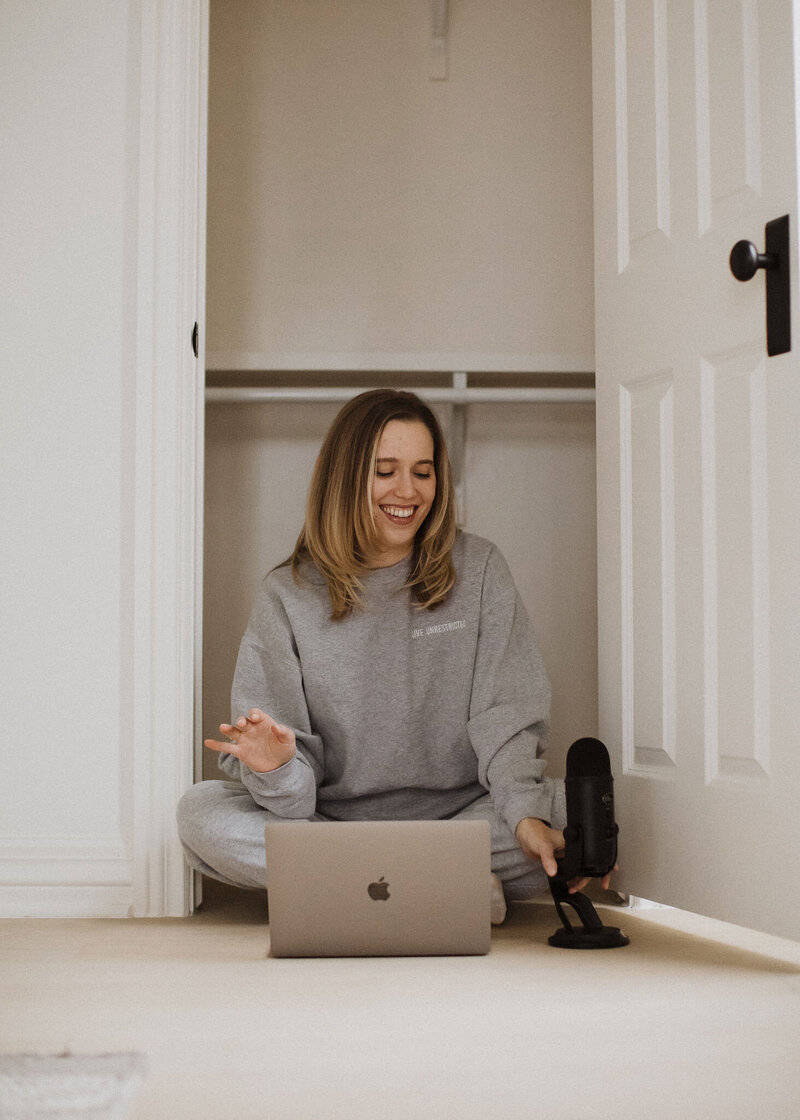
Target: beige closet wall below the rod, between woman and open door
[[532, 489]]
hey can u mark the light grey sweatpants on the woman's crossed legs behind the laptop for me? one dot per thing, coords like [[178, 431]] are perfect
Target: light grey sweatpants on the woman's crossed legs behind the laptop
[[222, 832]]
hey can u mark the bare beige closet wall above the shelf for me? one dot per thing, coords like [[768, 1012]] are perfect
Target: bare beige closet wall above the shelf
[[369, 218]]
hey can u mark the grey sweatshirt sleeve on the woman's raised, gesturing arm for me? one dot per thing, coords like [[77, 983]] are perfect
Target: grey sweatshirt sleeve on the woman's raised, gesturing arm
[[269, 677]]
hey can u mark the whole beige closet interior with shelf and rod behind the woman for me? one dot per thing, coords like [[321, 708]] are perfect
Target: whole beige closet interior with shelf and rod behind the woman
[[401, 194]]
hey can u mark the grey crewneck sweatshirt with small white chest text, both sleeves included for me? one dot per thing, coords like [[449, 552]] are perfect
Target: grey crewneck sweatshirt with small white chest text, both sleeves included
[[399, 713]]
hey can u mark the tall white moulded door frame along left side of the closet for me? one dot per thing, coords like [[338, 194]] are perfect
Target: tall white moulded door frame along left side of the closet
[[170, 414]]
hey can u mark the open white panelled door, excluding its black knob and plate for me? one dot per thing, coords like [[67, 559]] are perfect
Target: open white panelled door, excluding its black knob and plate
[[699, 455]]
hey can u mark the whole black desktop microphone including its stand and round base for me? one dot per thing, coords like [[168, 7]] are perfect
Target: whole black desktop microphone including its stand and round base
[[590, 846]]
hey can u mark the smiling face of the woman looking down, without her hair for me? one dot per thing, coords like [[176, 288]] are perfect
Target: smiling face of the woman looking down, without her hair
[[404, 488]]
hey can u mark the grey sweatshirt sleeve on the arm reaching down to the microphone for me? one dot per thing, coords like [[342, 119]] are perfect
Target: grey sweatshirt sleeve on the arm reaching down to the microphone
[[510, 705]]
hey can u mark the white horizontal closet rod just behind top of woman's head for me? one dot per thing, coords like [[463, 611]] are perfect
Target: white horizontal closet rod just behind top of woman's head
[[441, 396]]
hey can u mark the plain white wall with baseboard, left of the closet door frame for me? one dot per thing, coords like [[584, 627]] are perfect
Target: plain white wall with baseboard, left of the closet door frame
[[69, 314]]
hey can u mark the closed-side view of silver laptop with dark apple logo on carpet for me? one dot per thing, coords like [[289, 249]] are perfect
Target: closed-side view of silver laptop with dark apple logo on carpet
[[378, 889]]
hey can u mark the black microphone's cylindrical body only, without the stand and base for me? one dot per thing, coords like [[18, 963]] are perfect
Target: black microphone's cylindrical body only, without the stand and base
[[591, 834]]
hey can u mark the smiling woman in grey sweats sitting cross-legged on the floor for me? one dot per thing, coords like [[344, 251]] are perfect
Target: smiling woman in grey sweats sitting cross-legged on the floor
[[389, 670]]
